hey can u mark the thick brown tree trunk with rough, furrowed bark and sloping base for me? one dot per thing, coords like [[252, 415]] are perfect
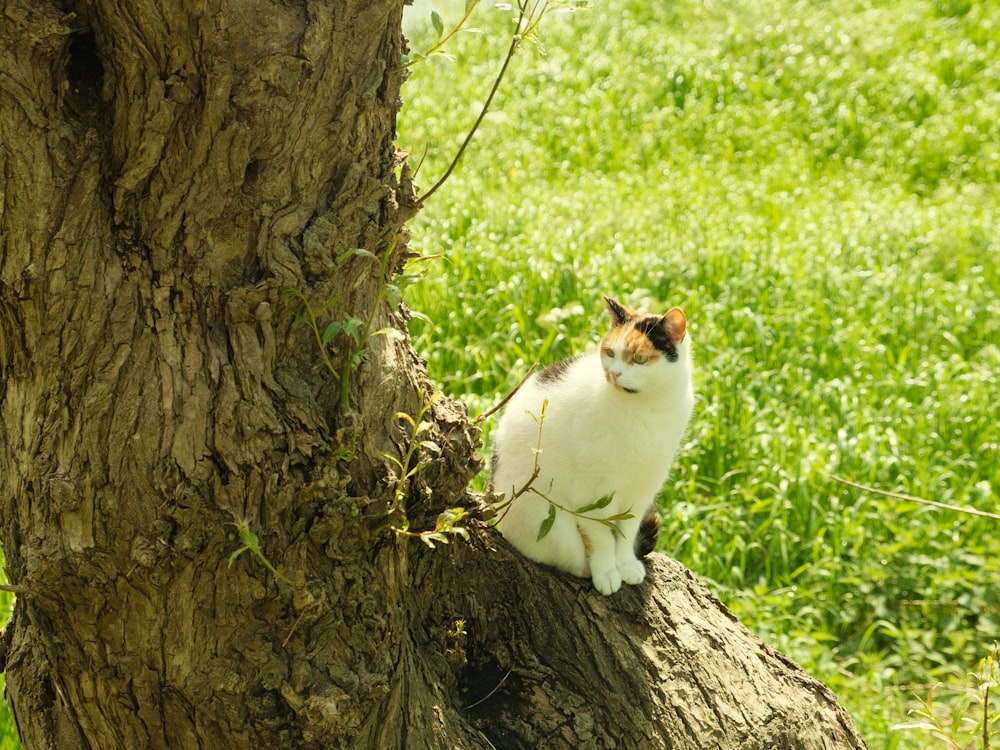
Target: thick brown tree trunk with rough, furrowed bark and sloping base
[[168, 168]]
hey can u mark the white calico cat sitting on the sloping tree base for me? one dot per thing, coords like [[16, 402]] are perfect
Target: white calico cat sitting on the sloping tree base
[[613, 420]]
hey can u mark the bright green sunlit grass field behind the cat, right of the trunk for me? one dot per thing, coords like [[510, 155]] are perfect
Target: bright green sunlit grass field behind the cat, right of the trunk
[[816, 185]]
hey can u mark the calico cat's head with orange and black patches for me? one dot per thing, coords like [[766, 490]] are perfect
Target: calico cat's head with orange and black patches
[[645, 353]]
